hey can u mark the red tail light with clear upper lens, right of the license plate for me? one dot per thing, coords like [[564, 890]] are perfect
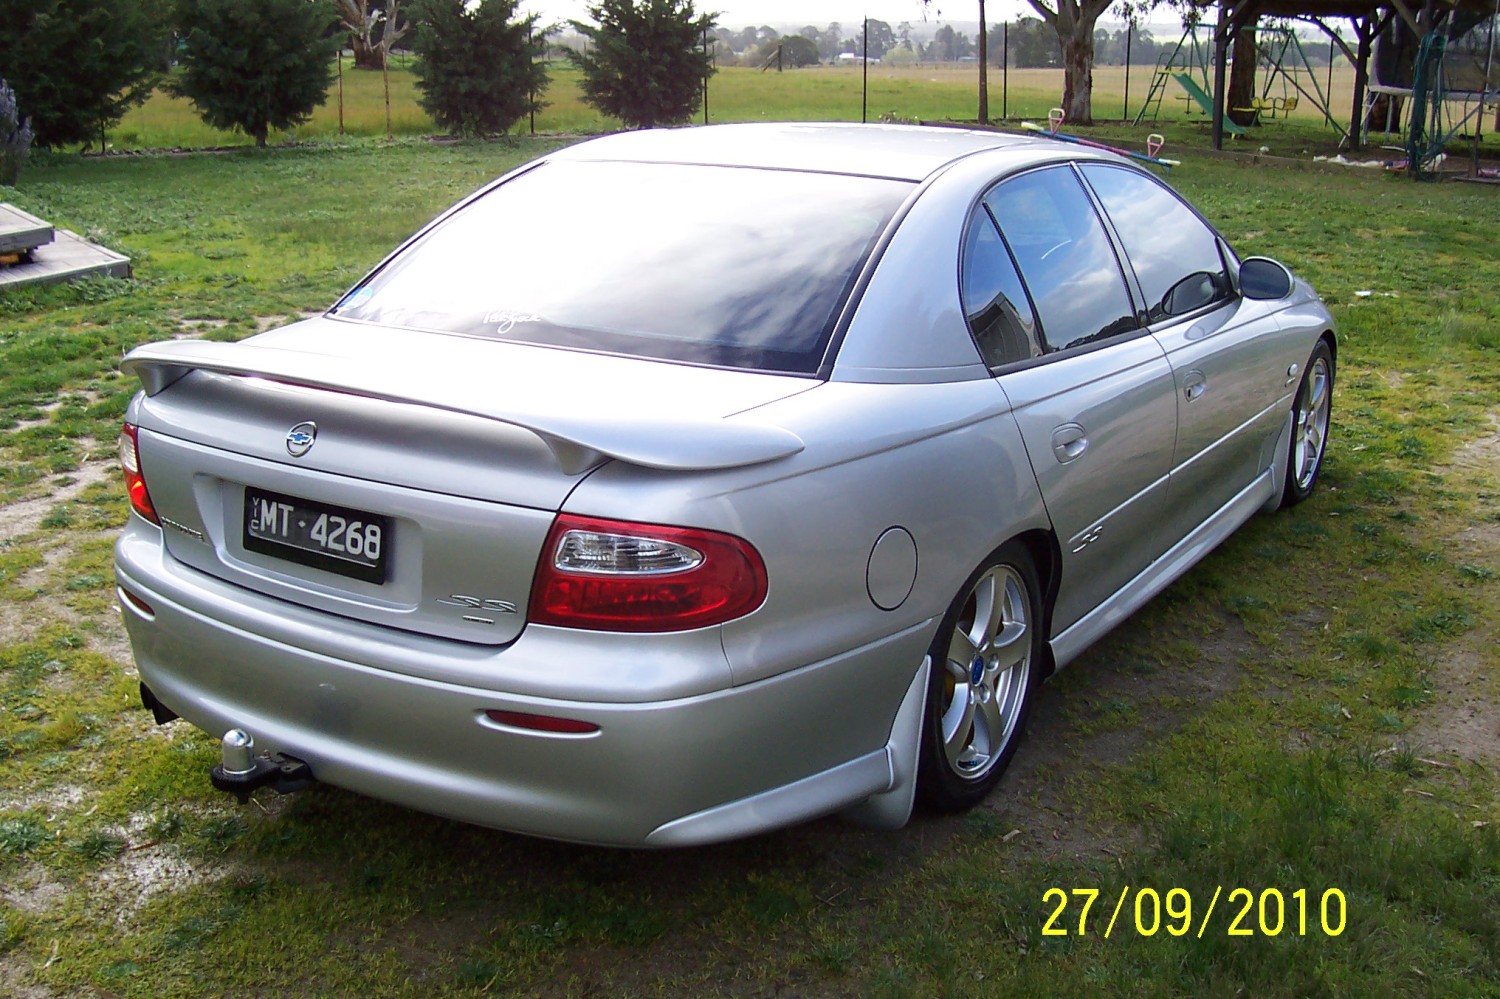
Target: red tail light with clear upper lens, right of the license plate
[[620, 577]]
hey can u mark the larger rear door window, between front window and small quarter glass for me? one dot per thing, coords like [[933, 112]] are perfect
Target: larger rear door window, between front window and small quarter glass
[[1066, 257]]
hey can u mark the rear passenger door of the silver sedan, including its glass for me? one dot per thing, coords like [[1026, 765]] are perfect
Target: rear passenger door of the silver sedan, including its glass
[[1091, 392]]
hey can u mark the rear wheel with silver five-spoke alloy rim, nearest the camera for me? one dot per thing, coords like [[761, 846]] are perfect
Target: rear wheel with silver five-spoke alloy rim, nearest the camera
[[985, 665]]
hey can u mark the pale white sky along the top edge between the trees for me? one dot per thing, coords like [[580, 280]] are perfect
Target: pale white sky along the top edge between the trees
[[820, 13]]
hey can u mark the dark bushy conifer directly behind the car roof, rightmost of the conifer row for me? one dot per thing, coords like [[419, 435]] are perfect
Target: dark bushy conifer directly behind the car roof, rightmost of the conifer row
[[647, 64]]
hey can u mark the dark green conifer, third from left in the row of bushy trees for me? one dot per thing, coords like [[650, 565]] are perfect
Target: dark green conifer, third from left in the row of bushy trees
[[478, 67]]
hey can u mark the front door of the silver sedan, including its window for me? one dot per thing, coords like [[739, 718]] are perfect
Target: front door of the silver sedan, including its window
[[1223, 350]]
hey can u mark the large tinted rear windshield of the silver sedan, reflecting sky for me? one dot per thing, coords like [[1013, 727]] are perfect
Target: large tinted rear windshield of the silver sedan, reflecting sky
[[706, 265]]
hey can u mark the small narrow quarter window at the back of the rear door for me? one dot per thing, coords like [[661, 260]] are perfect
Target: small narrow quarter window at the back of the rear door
[[994, 299]]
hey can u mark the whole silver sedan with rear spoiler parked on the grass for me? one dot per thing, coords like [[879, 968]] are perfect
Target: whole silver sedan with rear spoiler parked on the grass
[[683, 485]]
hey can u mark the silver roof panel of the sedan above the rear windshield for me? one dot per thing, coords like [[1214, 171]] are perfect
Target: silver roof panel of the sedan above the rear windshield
[[902, 152]]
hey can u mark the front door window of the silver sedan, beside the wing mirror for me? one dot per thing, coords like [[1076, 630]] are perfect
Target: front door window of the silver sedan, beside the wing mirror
[[1175, 256]]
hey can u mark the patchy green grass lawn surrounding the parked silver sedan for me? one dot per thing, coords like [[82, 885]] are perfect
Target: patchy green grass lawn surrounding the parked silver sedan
[[1312, 710]]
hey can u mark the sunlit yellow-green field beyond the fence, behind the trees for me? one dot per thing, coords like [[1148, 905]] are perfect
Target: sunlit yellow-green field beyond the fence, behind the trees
[[736, 95]]
